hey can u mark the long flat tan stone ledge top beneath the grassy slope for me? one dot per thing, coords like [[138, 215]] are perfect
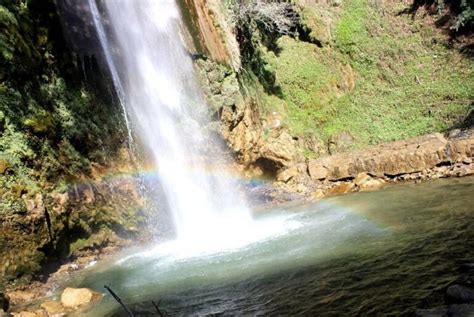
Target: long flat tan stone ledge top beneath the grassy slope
[[393, 159]]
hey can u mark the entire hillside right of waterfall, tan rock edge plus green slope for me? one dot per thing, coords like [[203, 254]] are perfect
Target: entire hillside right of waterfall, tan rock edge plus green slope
[[349, 75]]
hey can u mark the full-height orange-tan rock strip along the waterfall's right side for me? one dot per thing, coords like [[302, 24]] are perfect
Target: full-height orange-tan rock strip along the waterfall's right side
[[259, 143]]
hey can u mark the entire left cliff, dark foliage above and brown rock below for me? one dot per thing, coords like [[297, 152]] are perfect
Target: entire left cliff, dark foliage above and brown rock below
[[58, 132]]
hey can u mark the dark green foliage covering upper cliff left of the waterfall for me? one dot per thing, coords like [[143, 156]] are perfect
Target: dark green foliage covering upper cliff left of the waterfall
[[51, 123]]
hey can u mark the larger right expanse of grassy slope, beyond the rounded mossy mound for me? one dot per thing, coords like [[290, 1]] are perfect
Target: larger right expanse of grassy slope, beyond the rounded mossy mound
[[407, 83]]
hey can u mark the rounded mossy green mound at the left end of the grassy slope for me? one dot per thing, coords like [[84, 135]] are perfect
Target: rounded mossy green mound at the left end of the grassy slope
[[308, 82]]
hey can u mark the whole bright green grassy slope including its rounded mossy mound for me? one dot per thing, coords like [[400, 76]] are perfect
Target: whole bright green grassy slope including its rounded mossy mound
[[407, 82]]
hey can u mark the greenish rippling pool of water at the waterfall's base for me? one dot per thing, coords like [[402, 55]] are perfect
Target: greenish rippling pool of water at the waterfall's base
[[379, 253]]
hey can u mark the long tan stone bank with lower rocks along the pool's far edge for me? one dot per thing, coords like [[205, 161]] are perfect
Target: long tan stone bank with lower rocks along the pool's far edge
[[426, 157]]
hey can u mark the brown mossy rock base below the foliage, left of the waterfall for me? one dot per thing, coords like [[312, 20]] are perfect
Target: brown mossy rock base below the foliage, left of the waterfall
[[89, 216]]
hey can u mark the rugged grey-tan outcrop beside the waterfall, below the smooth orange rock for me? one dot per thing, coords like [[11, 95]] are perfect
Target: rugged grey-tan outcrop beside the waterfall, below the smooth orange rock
[[268, 147]]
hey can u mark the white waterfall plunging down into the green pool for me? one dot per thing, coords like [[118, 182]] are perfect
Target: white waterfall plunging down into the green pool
[[154, 77]]
